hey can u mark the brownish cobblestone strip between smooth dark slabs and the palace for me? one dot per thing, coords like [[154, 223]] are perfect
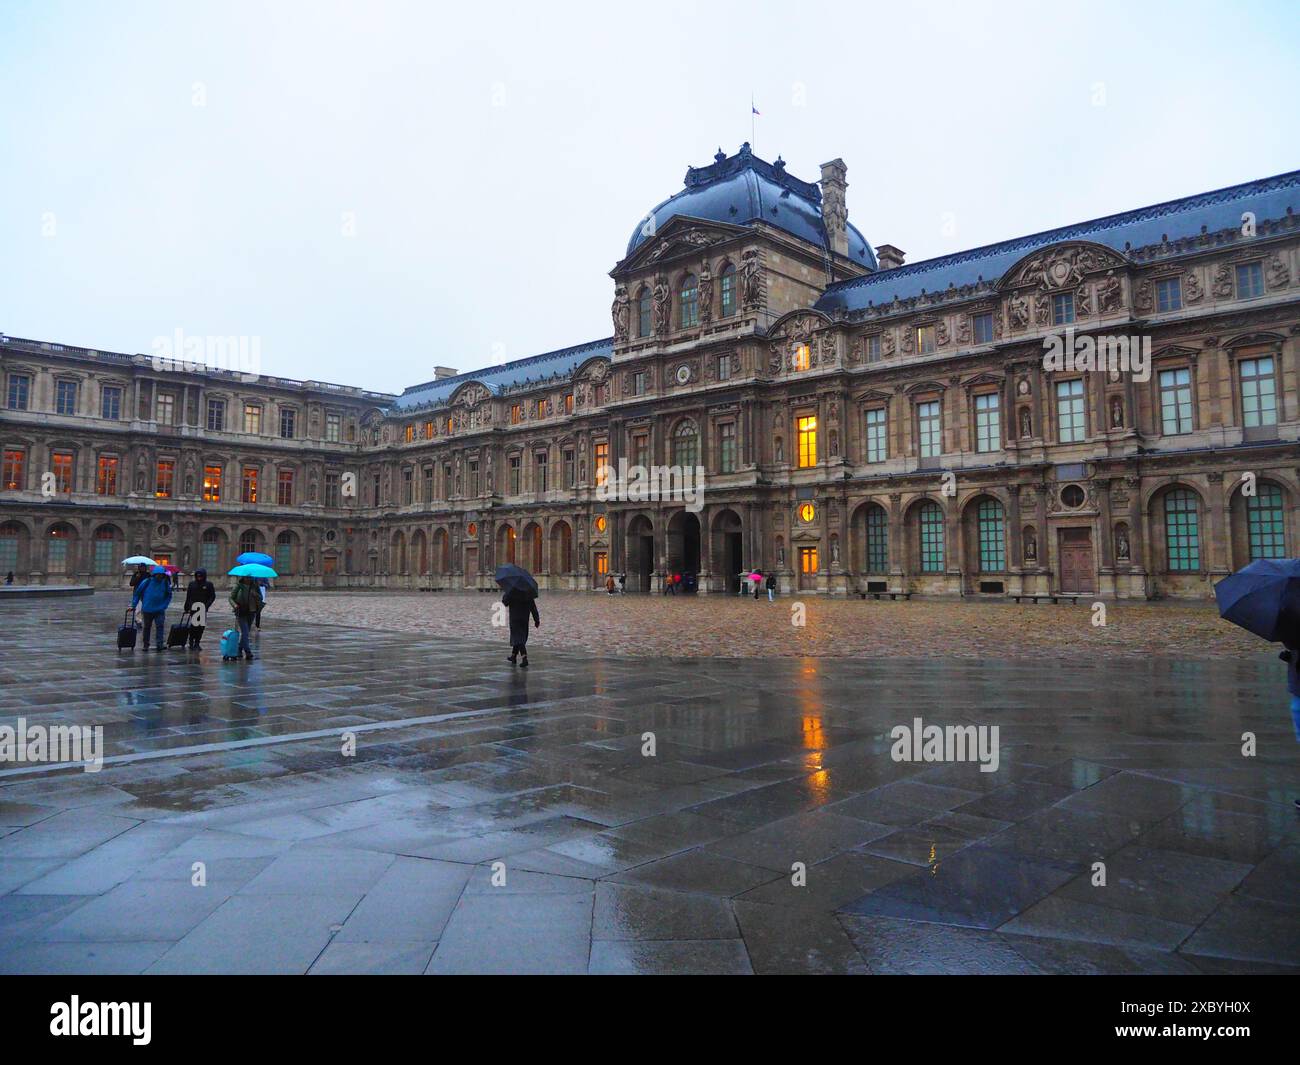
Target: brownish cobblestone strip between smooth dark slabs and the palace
[[731, 626]]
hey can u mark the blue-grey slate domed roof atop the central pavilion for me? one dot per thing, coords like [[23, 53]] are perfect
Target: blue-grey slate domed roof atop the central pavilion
[[744, 189]]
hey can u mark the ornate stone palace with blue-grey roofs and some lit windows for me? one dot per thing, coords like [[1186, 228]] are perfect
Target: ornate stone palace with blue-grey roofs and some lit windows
[[864, 425]]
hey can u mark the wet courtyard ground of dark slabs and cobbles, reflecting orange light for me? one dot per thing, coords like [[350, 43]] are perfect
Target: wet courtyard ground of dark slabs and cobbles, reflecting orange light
[[493, 820]]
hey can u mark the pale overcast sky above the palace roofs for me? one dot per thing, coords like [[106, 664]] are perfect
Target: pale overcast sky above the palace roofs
[[198, 166]]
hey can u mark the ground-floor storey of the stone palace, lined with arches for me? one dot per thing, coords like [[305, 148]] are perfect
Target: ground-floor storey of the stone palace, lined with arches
[[1126, 538]]
